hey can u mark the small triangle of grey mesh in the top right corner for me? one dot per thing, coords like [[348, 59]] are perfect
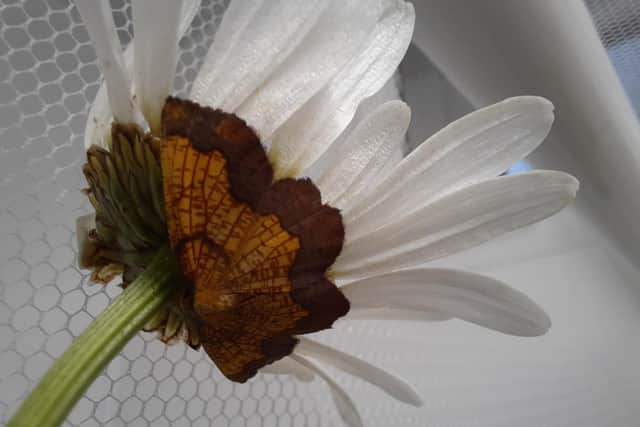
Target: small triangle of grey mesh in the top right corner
[[618, 23]]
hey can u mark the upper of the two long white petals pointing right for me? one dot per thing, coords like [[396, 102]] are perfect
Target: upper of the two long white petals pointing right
[[478, 146]]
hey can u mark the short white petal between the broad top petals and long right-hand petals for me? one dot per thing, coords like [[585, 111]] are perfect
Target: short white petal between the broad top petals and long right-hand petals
[[365, 153]]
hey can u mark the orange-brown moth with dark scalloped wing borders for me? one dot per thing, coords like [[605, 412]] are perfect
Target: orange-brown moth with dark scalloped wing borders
[[256, 252]]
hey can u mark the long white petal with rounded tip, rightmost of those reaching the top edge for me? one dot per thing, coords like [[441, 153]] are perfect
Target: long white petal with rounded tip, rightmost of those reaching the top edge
[[315, 126]]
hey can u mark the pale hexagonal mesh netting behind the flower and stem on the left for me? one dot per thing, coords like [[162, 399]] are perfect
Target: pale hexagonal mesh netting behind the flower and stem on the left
[[48, 78]]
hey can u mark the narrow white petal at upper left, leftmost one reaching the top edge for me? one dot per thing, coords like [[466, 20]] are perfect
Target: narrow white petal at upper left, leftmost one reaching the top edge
[[98, 19]]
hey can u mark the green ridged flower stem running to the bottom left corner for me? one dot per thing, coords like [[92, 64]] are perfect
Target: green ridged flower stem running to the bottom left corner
[[70, 376]]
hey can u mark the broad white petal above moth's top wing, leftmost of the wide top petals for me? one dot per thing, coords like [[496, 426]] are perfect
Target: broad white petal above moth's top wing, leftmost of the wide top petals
[[269, 32]]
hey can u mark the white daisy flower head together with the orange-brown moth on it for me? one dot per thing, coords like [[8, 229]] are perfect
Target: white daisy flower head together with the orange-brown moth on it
[[282, 211]]
